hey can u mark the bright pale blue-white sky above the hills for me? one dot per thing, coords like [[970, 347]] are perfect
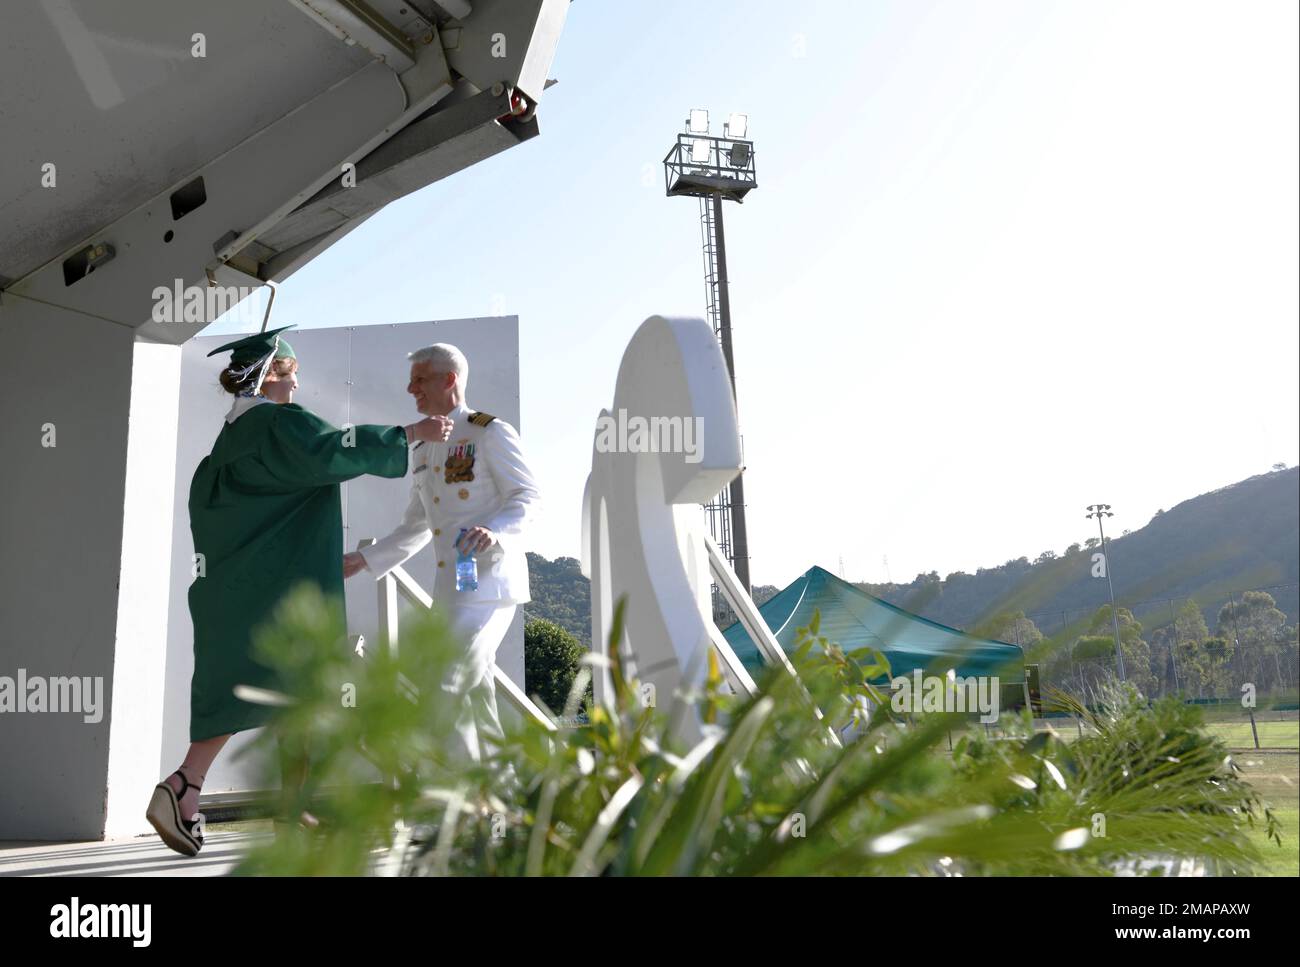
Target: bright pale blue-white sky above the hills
[[1007, 259]]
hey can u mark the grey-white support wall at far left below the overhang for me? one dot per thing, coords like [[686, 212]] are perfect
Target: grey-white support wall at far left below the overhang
[[63, 565]]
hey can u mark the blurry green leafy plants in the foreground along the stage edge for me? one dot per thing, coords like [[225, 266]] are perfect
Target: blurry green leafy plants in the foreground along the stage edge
[[813, 775]]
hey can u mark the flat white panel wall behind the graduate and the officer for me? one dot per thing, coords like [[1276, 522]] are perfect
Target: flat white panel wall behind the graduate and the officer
[[356, 375]]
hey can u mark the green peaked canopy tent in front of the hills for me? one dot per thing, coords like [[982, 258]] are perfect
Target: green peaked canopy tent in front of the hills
[[853, 619]]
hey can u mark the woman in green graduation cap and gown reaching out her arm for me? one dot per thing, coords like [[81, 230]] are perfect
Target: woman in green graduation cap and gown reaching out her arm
[[265, 511]]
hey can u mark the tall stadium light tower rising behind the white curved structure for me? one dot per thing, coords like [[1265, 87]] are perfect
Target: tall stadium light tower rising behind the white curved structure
[[714, 170]]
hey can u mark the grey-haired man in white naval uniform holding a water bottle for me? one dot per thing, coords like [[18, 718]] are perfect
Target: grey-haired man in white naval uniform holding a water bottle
[[476, 482]]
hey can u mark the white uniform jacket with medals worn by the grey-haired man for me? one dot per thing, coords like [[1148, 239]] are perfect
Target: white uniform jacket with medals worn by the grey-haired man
[[476, 479]]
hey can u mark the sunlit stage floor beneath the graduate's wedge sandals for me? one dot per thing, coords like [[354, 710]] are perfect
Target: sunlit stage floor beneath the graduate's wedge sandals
[[144, 856]]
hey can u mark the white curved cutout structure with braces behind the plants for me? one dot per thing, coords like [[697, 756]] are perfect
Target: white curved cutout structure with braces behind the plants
[[643, 534]]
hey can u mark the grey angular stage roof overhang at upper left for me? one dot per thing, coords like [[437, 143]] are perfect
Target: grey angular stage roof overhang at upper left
[[129, 162]]
